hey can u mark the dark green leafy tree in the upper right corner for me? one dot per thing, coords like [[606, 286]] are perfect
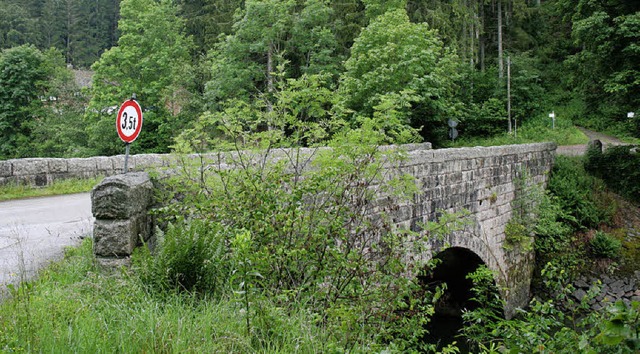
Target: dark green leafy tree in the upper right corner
[[606, 67]]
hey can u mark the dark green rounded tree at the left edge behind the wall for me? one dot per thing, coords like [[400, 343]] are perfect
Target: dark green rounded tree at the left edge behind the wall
[[23, 79]]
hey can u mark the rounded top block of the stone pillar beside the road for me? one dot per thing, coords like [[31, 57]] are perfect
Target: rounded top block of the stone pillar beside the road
[[121, 196]]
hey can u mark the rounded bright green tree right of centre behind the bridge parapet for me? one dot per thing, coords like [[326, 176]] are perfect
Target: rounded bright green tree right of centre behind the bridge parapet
[[397, 62]]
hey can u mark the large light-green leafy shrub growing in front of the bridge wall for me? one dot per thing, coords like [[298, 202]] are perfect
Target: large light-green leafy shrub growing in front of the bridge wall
[[309, 235]]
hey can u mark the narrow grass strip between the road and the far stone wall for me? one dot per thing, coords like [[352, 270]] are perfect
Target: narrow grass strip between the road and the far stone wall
[[68, 186]]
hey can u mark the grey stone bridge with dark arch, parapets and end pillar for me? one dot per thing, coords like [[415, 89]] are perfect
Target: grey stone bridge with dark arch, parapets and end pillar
[[482, 180]]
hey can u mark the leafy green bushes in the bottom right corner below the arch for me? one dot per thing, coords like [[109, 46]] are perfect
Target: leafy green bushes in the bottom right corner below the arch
[[557, 325]]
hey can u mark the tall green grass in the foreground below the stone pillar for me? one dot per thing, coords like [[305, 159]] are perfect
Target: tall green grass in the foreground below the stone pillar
[[73, 307]]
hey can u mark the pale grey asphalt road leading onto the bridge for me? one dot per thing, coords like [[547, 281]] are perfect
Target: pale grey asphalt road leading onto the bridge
[[33, 232]]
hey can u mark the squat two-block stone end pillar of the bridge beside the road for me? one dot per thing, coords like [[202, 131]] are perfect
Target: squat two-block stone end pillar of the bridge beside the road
[[120, 206]]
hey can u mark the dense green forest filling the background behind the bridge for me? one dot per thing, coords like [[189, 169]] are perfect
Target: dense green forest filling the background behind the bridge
[[493, 66]]
